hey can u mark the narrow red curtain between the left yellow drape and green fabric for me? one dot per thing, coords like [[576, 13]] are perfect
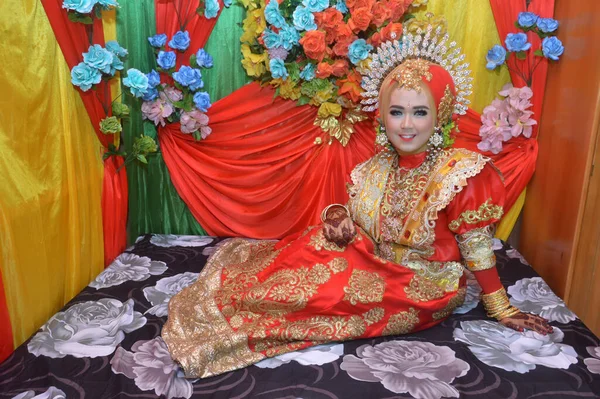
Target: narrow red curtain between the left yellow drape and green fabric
[[73, 40]]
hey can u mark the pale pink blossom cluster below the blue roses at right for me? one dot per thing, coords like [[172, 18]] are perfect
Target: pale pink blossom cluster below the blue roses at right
[[506, 118]]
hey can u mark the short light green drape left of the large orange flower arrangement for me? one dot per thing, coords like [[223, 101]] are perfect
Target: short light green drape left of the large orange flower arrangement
[[227, 74]]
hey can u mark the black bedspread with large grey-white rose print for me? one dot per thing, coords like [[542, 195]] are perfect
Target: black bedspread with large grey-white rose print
[[106, 343]]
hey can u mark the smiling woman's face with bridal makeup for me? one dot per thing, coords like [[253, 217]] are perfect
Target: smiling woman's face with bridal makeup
[[410, 120]]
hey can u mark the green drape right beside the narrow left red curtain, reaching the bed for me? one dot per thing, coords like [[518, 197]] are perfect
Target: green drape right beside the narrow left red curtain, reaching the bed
[[154, 205]]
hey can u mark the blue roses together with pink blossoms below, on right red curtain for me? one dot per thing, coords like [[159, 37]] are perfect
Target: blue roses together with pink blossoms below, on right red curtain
[[511, 116]]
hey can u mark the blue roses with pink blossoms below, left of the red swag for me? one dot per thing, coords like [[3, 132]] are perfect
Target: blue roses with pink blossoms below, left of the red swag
[[182, 100]]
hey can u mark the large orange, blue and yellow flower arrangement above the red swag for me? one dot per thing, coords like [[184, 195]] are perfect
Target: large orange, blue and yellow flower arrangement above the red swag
[[312, 51]]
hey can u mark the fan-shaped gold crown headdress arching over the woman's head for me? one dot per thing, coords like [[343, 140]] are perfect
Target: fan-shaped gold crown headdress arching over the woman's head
[[428, 45]]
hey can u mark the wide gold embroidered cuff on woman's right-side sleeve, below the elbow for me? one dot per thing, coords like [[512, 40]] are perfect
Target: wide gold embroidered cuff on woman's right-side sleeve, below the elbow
[[476, 248]]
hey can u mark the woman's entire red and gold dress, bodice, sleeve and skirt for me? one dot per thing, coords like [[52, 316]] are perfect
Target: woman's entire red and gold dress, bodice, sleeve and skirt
[[418, 228]]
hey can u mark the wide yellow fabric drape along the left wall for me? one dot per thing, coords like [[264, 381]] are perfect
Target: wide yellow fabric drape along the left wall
[[50, 174]]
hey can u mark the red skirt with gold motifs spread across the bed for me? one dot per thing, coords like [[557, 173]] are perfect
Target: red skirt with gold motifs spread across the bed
[[258, 299]]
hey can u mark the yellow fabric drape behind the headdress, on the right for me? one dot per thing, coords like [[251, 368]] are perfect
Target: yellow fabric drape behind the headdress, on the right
[[471, 24]]
